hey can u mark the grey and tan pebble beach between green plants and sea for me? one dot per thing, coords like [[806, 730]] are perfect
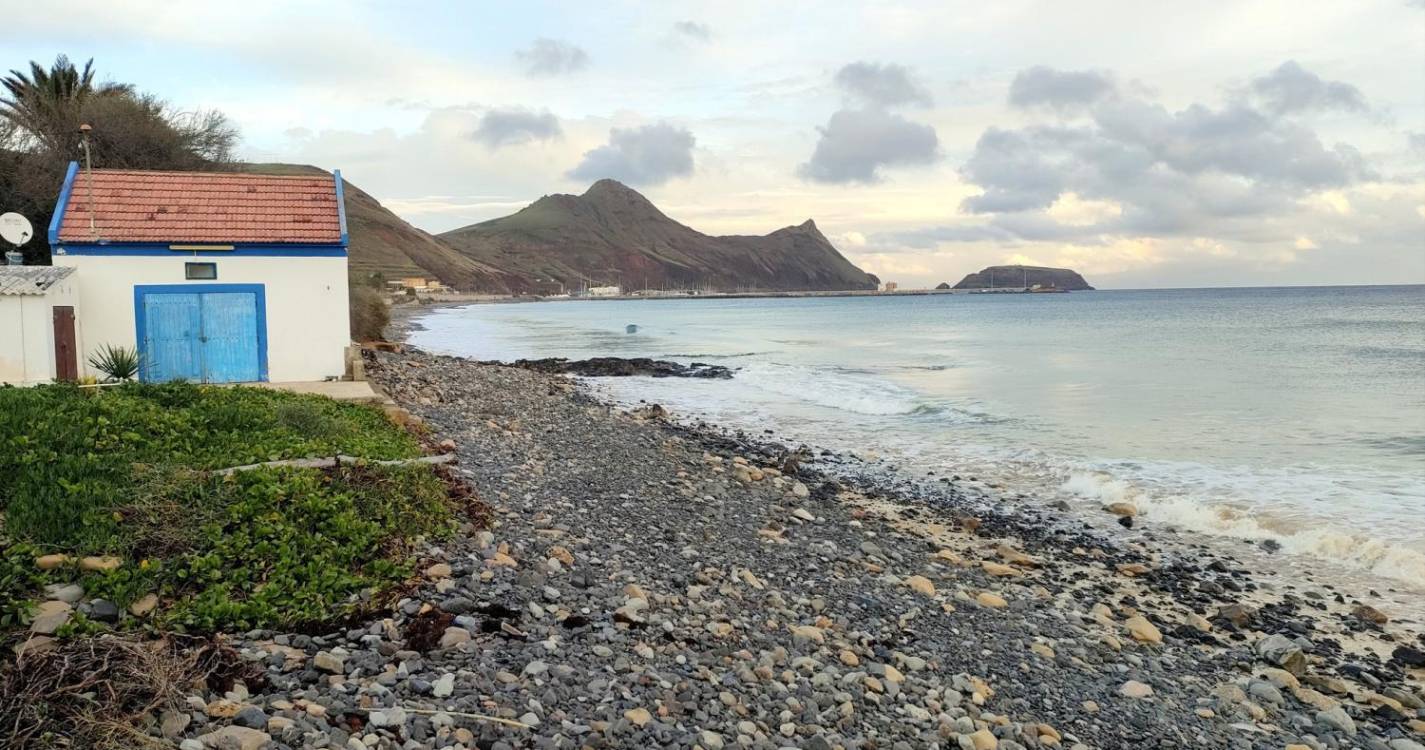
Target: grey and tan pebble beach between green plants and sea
[[652, 584]]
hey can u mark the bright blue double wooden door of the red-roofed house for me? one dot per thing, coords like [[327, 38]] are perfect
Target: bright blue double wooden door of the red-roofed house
[[203, 333]]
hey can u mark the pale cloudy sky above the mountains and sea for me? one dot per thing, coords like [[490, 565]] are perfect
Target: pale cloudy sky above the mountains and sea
[[1144, 145]]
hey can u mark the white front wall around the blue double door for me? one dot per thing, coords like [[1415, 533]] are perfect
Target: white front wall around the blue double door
[[307, 309]]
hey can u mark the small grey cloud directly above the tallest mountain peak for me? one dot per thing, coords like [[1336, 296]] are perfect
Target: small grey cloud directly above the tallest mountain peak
[[643, 156]]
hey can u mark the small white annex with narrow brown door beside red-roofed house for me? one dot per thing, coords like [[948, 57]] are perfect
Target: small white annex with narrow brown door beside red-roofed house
[[38, 334]]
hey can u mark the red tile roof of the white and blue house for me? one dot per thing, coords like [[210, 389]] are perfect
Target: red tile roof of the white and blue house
[[203, 209]]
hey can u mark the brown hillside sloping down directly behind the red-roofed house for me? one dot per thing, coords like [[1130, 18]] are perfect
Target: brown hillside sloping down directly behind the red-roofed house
[[383, 243]]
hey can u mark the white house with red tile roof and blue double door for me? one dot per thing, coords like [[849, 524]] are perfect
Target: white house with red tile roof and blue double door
[[213, 277]]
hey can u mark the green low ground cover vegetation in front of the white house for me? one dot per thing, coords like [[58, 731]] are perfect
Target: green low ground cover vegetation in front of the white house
[[129, 474]]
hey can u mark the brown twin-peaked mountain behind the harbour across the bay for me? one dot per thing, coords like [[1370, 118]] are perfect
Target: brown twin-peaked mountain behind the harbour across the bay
[[613, 236]]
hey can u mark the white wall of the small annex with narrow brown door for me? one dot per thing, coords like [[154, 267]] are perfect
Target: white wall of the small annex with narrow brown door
[[28, 334]]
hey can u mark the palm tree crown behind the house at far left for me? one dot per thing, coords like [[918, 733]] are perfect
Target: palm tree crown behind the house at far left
[[45, 105]]
